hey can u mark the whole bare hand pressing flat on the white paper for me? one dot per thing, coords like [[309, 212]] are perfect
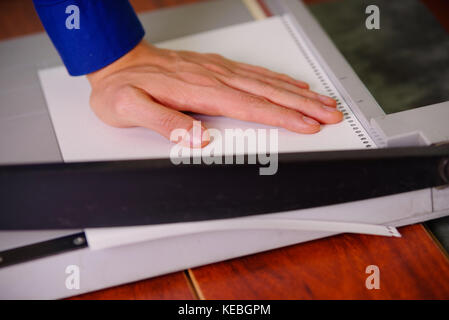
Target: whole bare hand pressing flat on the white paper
[[151, 87]]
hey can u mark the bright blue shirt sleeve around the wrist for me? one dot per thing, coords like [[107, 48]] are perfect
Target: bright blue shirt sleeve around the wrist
[[102, 32]]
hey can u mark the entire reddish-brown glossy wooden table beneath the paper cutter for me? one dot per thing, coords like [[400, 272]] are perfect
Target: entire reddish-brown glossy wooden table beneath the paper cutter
[[411, 267]]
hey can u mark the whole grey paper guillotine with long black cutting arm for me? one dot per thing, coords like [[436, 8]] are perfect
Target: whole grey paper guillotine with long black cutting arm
[[37, 244]]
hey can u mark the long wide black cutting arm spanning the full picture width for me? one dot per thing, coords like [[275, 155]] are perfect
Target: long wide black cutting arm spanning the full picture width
[[125, 193]]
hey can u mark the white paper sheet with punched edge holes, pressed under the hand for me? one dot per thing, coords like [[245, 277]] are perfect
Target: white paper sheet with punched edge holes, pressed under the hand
[[83, 137]]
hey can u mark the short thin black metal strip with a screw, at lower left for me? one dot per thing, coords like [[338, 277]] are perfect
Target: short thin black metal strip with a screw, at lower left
[[42, 249]]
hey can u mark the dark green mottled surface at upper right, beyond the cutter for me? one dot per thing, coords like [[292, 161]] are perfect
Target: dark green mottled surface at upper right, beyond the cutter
[[405, 64]]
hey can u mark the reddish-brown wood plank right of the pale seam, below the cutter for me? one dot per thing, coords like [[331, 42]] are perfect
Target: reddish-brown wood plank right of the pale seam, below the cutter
[[411, 267]]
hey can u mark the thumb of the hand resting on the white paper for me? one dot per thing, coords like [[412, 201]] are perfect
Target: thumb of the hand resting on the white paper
[[139, 109]]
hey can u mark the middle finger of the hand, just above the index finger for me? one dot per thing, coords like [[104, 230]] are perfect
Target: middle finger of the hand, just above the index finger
[[279, 96]]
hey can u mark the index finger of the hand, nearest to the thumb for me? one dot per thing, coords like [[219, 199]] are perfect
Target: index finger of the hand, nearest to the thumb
[[239, 105]]
